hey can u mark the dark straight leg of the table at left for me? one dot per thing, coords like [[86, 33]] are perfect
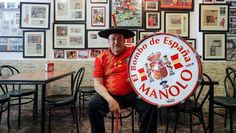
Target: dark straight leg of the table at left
[[43, 108]]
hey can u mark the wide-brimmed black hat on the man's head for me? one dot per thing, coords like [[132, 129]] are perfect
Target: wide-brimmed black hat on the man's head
[[125, 32]]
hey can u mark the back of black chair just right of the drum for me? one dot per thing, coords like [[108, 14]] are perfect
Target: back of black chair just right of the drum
[[202, 93]]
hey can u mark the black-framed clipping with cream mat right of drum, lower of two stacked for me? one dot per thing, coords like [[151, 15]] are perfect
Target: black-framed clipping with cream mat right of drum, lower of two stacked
[[214, 46]]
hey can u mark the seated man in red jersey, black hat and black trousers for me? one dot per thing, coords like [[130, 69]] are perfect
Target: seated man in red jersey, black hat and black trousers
[[113, 87]]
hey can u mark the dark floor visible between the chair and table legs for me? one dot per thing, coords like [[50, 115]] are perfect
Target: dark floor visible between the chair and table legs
[[66, 125]]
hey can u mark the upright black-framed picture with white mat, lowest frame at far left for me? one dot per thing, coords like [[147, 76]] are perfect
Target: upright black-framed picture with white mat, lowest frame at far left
[[34, 44]]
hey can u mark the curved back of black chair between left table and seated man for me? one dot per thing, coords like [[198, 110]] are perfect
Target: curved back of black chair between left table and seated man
[[77, 82]]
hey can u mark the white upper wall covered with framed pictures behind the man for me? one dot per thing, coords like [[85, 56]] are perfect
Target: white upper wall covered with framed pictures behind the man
[[72, 26]]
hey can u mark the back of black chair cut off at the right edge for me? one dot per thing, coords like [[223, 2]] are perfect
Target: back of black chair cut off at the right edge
[[230, 84]]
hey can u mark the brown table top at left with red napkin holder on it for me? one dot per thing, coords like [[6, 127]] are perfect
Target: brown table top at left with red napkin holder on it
[[40, 77]]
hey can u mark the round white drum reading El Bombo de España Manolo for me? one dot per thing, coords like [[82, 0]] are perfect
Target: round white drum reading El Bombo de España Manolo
[[164, 70]]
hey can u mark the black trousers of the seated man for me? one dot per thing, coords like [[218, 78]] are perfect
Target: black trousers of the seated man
[[98, 108]]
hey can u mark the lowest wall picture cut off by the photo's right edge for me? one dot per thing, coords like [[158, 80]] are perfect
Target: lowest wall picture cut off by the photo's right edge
[[231, 48]]
